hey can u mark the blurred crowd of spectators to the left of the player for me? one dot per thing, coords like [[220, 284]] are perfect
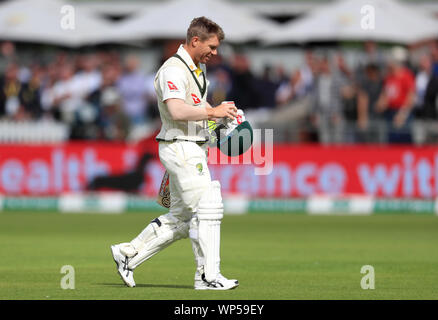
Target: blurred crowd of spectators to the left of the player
[[99, 95]]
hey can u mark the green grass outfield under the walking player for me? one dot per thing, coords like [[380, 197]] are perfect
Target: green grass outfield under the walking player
[[274, 256]]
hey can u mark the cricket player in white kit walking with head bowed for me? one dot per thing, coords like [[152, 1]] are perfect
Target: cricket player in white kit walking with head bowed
[[196, 208]]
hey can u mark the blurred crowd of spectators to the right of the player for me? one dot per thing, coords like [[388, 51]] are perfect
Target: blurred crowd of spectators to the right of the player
[[388, 96]]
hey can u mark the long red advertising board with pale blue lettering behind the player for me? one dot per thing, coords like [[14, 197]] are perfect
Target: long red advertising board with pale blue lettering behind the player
[[289, 170]]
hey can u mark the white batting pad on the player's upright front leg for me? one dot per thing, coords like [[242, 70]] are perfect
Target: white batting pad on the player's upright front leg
[[210, 214]]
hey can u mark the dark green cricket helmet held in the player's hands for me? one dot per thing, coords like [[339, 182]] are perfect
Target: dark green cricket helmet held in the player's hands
[[234, 140]]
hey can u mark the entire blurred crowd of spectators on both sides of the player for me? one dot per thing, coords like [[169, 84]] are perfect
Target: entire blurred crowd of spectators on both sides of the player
[[102, 95]]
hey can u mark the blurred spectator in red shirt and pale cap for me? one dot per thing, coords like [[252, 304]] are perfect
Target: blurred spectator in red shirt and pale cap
[[397, 98]]
